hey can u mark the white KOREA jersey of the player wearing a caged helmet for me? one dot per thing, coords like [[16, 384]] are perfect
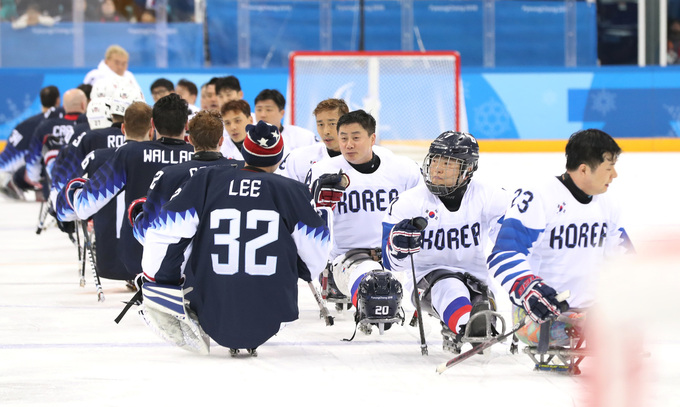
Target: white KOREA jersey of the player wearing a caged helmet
[[457, 241]]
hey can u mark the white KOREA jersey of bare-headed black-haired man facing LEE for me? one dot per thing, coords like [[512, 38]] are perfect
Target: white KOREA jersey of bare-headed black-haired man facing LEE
[[357, 219]]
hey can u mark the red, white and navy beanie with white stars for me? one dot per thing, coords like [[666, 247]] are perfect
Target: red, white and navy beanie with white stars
[[263, 145]]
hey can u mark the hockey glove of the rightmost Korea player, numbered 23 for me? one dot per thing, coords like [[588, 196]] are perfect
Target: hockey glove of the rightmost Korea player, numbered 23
[[537, 298]]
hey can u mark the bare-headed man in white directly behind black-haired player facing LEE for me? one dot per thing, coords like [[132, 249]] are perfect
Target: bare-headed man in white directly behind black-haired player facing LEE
[[297, 163]]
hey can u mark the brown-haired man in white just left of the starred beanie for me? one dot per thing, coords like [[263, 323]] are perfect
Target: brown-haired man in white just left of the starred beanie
[[236, 116]]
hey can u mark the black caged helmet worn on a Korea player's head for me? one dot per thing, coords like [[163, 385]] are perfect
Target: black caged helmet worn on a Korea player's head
[[451, 147]]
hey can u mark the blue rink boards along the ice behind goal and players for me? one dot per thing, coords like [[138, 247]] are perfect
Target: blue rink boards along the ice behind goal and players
[[528, 104]]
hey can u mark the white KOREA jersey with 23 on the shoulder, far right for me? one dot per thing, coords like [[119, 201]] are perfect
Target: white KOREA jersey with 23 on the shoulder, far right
[[548, 233]]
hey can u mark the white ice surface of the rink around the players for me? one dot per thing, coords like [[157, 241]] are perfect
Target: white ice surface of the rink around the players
[[60, 347]]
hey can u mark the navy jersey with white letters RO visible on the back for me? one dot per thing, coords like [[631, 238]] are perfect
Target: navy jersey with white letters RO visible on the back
[[67, 165]]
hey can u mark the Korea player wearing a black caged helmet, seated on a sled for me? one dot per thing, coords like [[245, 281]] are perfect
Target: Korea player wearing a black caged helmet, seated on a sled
[[460, 217]]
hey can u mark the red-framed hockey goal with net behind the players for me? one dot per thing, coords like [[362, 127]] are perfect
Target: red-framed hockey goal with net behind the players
[[412, 95]]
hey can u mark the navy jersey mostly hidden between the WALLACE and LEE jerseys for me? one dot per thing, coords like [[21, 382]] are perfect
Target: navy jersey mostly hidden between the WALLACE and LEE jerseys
[[167, 181]]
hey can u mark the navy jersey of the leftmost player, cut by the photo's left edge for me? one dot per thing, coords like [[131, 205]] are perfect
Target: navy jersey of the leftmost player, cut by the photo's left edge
[[13, 156]]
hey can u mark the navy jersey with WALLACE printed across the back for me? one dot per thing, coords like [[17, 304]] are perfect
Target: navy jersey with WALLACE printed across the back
[[130, 171]]
